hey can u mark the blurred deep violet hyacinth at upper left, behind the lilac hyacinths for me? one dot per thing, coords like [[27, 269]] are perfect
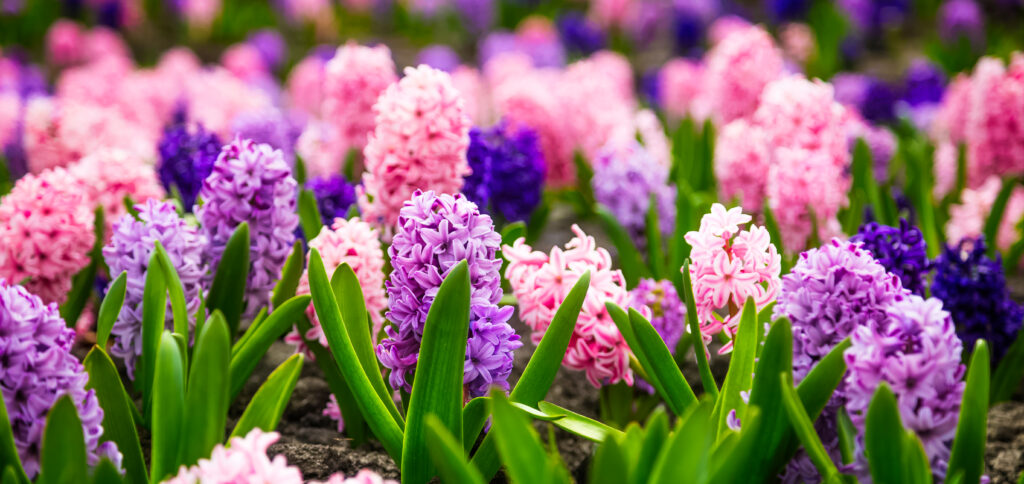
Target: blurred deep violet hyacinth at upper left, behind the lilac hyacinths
[[187, 159]]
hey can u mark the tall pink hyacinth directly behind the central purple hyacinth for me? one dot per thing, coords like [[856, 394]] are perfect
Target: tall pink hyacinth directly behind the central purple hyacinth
[[419, 143]]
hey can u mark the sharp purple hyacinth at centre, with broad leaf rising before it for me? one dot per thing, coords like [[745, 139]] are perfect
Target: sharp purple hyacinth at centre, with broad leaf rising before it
[[435, 234]]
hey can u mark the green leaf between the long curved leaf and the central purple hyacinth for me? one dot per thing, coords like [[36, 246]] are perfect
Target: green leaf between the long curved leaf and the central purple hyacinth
[[354, 315]]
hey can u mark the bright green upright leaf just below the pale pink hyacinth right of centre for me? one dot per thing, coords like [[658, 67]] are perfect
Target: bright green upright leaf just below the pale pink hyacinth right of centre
[[741, 374]]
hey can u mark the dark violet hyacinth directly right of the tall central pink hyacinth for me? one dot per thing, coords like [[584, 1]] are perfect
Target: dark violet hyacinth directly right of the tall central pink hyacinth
[[508, 171]]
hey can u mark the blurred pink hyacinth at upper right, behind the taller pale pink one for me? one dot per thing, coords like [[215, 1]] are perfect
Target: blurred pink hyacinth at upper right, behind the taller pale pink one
[[739, 69]]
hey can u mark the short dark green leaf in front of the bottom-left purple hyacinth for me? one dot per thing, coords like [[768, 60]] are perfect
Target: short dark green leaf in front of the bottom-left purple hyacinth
[[63, 459]]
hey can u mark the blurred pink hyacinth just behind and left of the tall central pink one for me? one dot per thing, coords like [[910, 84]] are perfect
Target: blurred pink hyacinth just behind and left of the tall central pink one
[[354, 80]]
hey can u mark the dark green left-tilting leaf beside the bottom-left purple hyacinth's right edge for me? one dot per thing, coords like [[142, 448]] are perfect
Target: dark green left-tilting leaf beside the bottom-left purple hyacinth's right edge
[[118, 424]]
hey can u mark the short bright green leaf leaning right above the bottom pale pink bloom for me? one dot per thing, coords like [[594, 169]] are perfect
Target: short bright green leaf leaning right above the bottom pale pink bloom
[[269, 404]]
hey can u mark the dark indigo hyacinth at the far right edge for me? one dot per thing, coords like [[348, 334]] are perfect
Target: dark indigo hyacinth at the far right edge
[[973, 289]]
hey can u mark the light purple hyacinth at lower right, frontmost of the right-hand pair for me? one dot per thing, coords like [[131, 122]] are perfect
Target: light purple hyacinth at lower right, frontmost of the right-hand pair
[[917, 353]]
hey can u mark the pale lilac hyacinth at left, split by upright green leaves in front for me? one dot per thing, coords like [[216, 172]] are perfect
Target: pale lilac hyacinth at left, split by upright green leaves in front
[[132, 246]]
